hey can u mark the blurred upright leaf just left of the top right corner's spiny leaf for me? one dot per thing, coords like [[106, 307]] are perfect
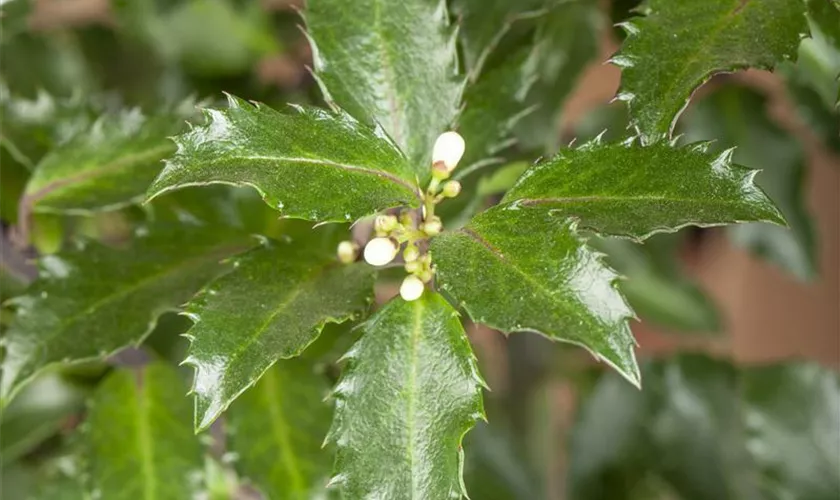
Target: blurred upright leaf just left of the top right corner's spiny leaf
[[567, 39]]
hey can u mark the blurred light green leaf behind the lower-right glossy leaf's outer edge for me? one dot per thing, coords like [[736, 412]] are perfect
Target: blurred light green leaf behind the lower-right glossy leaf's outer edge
[[657, 289]]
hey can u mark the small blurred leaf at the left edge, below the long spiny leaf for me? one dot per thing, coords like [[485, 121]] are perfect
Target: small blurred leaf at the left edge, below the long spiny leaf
[[37, 414]]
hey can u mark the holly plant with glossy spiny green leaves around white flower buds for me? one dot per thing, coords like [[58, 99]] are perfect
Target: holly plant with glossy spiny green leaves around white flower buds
[[418, 99]]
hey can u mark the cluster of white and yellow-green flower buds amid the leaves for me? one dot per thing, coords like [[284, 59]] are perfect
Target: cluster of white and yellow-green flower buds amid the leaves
[[408, 234]]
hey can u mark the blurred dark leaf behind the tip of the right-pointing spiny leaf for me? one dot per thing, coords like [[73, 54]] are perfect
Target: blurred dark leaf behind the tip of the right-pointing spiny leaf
[[737, 116]]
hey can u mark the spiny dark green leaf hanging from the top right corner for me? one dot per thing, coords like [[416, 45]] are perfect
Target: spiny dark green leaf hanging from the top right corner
[[678, 45]]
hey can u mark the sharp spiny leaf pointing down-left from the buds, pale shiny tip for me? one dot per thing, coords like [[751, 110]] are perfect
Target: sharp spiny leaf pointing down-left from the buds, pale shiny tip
[[272, 306]]
